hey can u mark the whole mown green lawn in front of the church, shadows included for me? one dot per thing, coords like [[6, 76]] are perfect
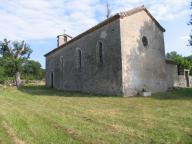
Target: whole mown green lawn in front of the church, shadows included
[[37, 115]]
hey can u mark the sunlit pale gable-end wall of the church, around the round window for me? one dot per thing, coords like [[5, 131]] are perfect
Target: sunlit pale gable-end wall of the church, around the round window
[[143, 66]]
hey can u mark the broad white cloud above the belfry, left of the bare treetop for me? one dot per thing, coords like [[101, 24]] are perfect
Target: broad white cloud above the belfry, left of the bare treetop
[[41, 19]]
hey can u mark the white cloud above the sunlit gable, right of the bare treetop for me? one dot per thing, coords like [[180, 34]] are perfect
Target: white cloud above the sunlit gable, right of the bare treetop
[[161, 9]]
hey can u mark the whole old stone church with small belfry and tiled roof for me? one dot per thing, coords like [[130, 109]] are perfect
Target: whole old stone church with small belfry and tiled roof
[[123, 55]]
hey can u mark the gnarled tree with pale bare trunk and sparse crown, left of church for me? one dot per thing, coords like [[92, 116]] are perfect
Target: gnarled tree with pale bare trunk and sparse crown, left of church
[[16, 52]]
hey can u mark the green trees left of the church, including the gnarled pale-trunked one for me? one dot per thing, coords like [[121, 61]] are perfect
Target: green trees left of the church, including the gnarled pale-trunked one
[[14, 61]]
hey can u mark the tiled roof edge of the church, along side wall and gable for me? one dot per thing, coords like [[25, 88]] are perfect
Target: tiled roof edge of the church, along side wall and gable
[[107, 21]]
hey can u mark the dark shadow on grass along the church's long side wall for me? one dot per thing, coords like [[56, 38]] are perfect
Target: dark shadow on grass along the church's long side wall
[[44, 91]]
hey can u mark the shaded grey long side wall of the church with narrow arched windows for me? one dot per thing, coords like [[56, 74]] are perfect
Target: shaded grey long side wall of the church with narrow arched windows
[[92, 77]]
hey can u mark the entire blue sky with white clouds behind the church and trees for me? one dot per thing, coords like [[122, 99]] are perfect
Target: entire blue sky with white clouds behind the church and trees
[[40, 21]]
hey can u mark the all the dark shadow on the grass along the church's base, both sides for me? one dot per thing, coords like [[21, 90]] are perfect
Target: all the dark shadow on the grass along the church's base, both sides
[[177, 94]]
